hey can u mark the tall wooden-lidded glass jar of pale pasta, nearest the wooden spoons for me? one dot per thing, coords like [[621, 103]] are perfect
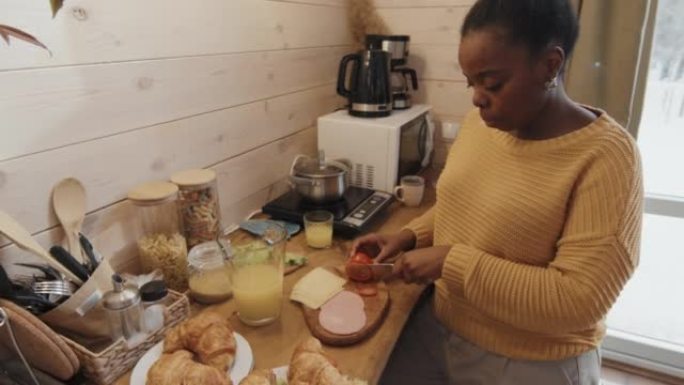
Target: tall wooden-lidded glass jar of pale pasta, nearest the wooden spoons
[[161, 244]]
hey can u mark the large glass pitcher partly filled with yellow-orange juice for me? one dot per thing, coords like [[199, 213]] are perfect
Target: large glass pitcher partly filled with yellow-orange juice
[[257, 274]]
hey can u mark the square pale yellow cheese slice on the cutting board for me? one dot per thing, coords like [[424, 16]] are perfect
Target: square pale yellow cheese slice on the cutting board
[[317, 287]]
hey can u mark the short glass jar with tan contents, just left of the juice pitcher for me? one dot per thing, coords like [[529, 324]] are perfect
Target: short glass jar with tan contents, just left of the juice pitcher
[[209, 273]]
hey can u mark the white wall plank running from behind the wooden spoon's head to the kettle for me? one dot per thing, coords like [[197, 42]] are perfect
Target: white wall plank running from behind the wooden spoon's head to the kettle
[[108, 167]]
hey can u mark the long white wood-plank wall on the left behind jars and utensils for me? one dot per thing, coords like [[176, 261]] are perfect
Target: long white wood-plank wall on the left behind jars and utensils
[[134, 91]]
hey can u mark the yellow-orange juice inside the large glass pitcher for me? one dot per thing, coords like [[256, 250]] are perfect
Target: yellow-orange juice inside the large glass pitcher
[[258, 293]]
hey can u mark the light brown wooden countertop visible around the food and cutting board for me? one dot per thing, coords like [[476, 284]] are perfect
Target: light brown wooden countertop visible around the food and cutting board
[[273, 344]]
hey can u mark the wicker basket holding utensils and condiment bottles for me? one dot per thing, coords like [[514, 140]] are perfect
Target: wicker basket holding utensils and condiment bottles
[[105, 367]]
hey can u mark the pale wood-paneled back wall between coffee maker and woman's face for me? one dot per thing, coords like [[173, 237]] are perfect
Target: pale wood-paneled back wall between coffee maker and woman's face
[[434, 27]]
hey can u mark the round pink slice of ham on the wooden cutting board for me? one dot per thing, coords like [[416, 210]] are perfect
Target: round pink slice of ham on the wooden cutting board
[[343, 314]]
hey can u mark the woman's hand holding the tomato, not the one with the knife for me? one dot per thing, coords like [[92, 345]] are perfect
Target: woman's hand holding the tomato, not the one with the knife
[[384, 246]]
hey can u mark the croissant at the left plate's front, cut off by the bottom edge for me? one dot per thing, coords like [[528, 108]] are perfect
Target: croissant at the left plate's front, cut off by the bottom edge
[[178, 368]]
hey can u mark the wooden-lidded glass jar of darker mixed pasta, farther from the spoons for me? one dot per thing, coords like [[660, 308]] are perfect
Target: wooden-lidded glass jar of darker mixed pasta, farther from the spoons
[[199, 203]]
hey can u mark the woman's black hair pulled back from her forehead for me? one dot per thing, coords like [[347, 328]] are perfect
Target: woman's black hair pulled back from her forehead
[[535, 23]]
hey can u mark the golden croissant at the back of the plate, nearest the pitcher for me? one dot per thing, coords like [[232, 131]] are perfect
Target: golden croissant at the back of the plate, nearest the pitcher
[[208, 335]]
